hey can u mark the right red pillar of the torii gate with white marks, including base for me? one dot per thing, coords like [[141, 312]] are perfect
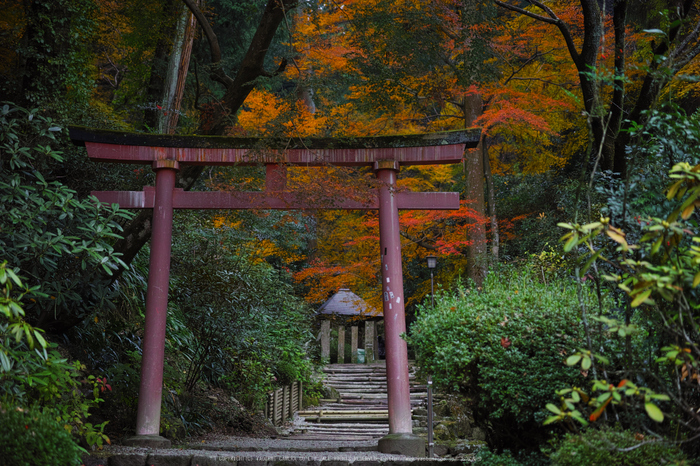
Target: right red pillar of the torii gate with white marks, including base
[[400, 439]]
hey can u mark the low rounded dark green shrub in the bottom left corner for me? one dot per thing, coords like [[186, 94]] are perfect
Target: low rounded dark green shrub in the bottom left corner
[[32, 438]]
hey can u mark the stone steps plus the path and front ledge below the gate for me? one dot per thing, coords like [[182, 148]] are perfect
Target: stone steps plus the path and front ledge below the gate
[[343, 431]]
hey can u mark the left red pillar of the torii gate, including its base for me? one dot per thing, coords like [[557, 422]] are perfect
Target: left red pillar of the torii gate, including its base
[[151, 388]]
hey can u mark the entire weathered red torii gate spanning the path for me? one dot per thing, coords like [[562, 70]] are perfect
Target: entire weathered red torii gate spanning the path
[[165, 153]]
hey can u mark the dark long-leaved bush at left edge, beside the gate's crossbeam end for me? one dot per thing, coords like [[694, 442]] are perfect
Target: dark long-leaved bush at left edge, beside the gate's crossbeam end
[[63, 245]]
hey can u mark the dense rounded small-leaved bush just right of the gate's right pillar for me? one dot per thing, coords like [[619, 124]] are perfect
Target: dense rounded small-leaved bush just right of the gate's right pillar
[[503, 347]]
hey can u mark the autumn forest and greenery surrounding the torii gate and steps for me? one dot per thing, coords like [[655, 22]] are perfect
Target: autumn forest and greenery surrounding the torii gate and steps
[[585, 108]]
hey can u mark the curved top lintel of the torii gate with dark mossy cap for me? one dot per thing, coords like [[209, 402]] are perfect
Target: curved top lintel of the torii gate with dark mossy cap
[[413, 149]]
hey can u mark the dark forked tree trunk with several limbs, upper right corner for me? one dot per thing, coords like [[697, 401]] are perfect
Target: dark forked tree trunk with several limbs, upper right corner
[[610, 119]]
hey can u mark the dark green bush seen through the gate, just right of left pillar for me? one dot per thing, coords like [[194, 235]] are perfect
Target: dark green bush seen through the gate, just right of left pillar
[[248, 330]]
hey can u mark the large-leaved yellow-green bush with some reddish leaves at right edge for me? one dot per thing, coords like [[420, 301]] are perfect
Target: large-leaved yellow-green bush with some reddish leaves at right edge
[[659, 278]]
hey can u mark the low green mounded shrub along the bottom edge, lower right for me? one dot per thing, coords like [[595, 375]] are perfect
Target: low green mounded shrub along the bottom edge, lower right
[[614, 447]]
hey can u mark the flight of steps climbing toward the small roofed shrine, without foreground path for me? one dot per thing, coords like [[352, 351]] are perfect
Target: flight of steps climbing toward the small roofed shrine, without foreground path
[[360, 411]]
